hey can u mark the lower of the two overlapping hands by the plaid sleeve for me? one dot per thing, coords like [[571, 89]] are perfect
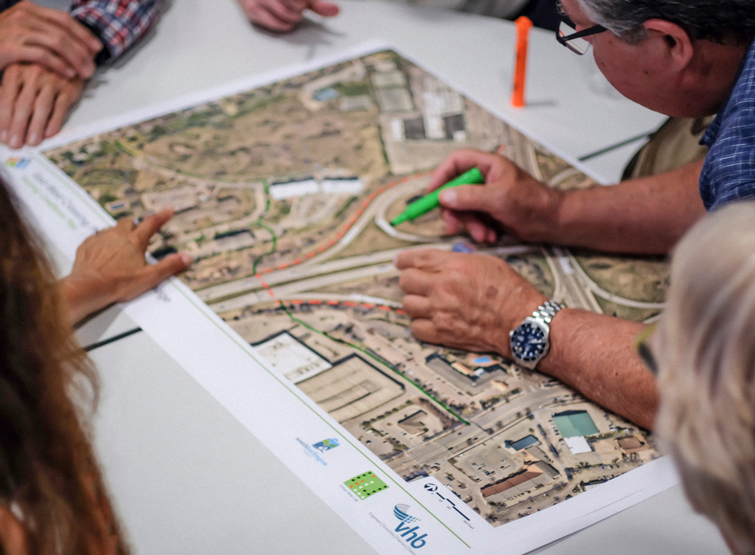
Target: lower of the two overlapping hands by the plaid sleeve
[[34, 102]]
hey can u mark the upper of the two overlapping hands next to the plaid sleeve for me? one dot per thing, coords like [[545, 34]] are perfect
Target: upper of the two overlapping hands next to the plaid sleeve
[[51, 38]]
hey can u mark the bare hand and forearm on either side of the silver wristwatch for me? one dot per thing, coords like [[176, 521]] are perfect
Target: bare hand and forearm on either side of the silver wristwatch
[[472, 302]]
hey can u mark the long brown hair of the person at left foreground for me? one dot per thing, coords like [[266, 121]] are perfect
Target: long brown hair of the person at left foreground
[[48, 475]]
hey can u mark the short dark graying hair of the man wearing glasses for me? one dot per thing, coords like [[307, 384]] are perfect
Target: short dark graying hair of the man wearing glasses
[[715, 20]]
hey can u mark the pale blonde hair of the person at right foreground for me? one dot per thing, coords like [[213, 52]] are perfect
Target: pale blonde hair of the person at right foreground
[[706, 353]]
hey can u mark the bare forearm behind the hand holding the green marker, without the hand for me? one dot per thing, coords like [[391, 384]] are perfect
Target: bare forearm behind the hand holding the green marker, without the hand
[[643, 216]]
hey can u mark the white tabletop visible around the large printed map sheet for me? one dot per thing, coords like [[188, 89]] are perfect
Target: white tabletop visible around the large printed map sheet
[[186, 477]]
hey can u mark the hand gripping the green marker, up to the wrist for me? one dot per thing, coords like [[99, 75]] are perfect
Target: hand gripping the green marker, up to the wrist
[[511, 199]]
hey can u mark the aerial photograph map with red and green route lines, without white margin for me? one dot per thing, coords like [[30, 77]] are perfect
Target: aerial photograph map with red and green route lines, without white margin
[[284, 195]]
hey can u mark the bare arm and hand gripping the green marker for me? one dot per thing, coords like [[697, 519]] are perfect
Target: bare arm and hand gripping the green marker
[[643, 216]]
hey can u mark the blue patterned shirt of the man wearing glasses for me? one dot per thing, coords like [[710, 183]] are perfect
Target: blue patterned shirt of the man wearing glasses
[[729, 169]]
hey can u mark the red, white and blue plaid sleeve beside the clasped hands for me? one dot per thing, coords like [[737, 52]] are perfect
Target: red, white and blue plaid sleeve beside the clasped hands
[[118, 23]]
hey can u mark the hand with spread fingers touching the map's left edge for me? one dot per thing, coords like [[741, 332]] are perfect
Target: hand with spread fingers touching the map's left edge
[[110, 266]]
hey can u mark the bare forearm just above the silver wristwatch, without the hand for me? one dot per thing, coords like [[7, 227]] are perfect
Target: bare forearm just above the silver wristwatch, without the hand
[[595, 355]]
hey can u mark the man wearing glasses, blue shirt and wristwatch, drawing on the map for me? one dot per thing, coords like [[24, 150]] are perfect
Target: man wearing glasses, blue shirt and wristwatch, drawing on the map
[[687, 60]]
